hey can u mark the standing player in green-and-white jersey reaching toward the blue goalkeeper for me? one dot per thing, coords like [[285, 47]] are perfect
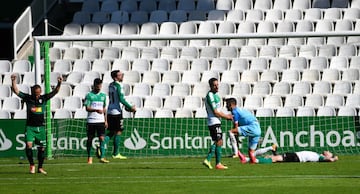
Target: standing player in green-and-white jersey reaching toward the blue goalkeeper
[[213, 105]]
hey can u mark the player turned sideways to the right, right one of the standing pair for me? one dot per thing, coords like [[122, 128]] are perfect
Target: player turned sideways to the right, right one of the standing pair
[[114, 112]]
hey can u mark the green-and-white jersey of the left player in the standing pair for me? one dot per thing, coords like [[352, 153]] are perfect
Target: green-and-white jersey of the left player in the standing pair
[[98, 102]]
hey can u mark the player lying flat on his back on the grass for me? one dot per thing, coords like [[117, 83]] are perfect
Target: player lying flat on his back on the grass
[[300, 156]]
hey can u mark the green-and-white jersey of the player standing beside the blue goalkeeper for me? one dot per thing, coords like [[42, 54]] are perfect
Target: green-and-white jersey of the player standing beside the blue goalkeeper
[[212, 103]]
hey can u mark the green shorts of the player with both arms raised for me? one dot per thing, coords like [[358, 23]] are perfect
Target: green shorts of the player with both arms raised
[[36, 134]]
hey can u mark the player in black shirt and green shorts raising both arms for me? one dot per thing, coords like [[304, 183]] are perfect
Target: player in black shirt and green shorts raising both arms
[[35, 122]]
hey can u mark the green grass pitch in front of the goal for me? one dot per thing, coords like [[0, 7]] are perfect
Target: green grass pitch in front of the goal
[[180, 175]]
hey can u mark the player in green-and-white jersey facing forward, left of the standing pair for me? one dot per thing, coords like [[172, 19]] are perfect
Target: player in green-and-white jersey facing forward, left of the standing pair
[[95, 104]]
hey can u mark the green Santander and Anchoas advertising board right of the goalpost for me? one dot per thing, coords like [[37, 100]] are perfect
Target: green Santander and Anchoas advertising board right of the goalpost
[[180, 137]]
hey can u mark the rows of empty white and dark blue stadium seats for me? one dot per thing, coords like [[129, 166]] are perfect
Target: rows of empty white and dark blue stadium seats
[[274, 76]]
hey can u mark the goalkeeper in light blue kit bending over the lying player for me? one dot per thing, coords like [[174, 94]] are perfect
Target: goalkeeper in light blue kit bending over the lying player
[[245, 124]]
